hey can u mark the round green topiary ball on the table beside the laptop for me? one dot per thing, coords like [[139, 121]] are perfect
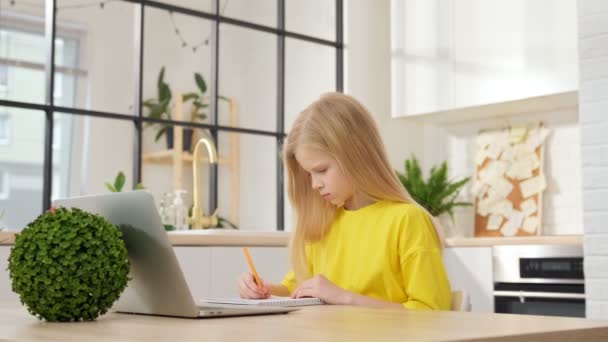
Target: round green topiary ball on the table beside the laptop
[[69, 265]]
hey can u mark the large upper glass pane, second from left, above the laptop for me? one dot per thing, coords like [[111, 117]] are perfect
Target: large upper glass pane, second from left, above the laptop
[[96, 58]]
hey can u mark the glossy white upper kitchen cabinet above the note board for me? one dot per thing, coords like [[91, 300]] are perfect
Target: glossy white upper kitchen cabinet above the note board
[[450, 54]]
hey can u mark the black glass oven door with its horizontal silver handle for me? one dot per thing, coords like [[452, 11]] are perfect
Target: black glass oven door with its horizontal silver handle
[[569, 301]]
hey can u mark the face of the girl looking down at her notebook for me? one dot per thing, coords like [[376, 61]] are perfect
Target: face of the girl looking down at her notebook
[[326, 175]]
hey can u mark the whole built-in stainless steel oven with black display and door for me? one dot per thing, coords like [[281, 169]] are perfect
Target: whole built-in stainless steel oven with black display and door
[[539, 280]]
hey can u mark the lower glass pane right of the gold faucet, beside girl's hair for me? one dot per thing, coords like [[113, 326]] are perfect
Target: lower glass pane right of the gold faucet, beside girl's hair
[[247, 180]]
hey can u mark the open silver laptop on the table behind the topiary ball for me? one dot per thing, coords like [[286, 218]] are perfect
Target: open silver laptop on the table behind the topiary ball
[[157, 285]]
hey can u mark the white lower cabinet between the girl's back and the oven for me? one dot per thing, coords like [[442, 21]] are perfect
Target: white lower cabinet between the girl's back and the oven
[[470, 269]]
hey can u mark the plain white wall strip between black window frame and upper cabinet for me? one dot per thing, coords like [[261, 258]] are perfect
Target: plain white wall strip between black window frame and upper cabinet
[[368, 76]]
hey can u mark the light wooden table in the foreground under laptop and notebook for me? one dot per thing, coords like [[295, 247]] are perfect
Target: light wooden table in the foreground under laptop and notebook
[[318, 323]]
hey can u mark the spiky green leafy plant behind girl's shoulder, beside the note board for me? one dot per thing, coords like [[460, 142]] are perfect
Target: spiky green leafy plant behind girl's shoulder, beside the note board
[[437, 194]]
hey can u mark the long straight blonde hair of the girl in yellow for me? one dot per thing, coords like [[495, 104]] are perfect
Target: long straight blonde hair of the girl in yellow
[[341, 126]]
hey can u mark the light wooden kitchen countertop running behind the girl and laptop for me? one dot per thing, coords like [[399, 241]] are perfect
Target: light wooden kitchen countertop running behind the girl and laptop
[[223, 237]]
